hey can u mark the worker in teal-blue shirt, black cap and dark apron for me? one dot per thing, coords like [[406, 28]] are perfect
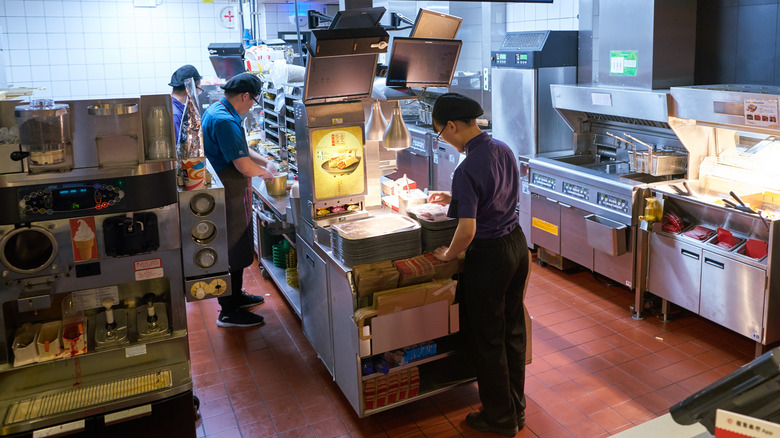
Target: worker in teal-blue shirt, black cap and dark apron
[[224, 143]]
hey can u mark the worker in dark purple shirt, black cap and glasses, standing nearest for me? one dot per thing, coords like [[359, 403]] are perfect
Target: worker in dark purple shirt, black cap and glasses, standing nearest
[[484, 198]]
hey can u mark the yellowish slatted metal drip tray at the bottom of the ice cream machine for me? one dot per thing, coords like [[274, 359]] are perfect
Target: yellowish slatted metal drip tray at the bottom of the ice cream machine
[[86, 396]]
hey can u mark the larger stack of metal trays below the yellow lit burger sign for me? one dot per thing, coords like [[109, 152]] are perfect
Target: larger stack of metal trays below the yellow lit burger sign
[[384, 237]]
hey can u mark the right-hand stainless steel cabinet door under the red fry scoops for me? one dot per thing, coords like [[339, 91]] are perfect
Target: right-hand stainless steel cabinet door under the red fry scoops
[[732, 294]]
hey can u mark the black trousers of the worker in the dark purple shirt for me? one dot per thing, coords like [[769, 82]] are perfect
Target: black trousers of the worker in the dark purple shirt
[[491, 292]]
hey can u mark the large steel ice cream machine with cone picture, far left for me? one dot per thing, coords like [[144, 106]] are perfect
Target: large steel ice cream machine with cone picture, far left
[[93, 323]]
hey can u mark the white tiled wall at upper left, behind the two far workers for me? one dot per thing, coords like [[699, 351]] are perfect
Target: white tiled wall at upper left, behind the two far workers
[[109, 48]]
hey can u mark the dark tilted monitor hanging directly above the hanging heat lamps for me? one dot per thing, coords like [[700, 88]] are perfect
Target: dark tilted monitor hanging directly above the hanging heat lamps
[[422, 62]]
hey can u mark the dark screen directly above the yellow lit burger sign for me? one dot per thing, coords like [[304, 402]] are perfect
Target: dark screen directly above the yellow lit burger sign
[[339, 78]]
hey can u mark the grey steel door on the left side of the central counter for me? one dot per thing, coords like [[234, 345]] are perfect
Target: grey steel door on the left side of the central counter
[[315, 302]]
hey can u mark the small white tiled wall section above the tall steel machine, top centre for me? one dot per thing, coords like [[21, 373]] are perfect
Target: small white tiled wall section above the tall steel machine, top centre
[[558, 15]]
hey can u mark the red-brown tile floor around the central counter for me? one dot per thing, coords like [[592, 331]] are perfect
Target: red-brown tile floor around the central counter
[[595, 370]]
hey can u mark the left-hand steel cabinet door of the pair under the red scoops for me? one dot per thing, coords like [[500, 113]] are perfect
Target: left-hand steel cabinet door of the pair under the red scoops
[[675, 271]]
